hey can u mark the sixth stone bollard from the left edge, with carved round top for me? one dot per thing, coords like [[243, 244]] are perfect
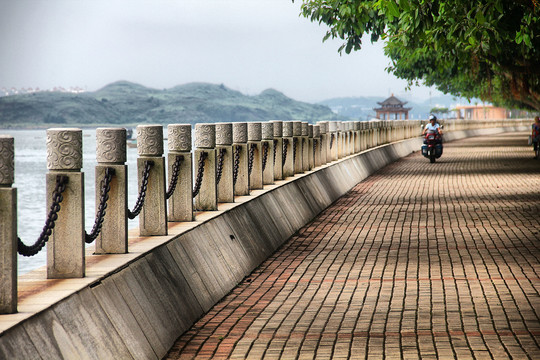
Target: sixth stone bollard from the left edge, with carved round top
[[205, 165]]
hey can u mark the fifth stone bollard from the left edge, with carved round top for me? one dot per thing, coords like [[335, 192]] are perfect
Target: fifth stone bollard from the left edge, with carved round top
[[179, 144]]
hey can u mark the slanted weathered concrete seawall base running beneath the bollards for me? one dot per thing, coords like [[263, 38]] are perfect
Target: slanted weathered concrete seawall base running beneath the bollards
[[137, 307]]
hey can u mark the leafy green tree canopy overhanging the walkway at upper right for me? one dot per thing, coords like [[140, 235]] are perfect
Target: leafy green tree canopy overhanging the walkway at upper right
[[489, 49]]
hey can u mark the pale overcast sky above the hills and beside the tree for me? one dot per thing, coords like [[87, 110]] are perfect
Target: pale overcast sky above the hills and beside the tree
[[248, 45]]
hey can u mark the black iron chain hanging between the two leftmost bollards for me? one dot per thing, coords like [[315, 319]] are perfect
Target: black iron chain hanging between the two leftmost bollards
[[25, 250]]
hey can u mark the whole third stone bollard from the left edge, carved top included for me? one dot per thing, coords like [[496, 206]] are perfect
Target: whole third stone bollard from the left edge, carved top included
[[111, 153]]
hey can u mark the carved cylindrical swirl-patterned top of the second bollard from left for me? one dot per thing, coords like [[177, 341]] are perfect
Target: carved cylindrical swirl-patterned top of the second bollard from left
[[64, 149]]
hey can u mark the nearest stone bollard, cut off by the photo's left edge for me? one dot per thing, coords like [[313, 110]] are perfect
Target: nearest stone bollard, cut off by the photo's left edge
[[8, 227]]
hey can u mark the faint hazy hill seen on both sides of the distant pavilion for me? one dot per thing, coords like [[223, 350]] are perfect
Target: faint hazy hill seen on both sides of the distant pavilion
[[362, 107]]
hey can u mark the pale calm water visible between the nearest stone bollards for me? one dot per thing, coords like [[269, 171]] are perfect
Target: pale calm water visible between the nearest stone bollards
[[30, 170]]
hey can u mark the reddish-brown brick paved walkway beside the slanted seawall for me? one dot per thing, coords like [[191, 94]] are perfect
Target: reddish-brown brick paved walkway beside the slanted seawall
[[420, 260]]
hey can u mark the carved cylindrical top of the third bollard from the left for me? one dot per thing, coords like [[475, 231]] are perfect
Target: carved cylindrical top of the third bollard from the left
[[111, 145]]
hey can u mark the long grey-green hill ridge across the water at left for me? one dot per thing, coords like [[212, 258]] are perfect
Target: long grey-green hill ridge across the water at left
[[131, 104]]
